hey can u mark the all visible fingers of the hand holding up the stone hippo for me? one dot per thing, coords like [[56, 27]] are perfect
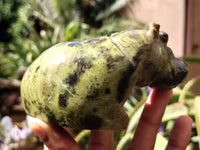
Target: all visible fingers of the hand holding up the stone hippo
[[57, 138]]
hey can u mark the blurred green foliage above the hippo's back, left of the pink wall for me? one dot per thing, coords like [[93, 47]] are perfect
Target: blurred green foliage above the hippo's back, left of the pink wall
[[30, 27]]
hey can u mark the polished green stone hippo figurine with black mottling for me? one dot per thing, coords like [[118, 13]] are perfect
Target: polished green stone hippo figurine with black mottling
[[84, 84]]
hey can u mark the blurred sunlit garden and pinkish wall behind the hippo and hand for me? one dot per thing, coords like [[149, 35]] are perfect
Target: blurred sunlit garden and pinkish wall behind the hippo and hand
[[27, 28]]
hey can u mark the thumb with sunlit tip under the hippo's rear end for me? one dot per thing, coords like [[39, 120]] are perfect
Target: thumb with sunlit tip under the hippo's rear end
[[54, 137]]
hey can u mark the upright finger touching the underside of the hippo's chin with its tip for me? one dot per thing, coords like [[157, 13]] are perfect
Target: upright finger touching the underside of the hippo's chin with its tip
[[149, 123]]
